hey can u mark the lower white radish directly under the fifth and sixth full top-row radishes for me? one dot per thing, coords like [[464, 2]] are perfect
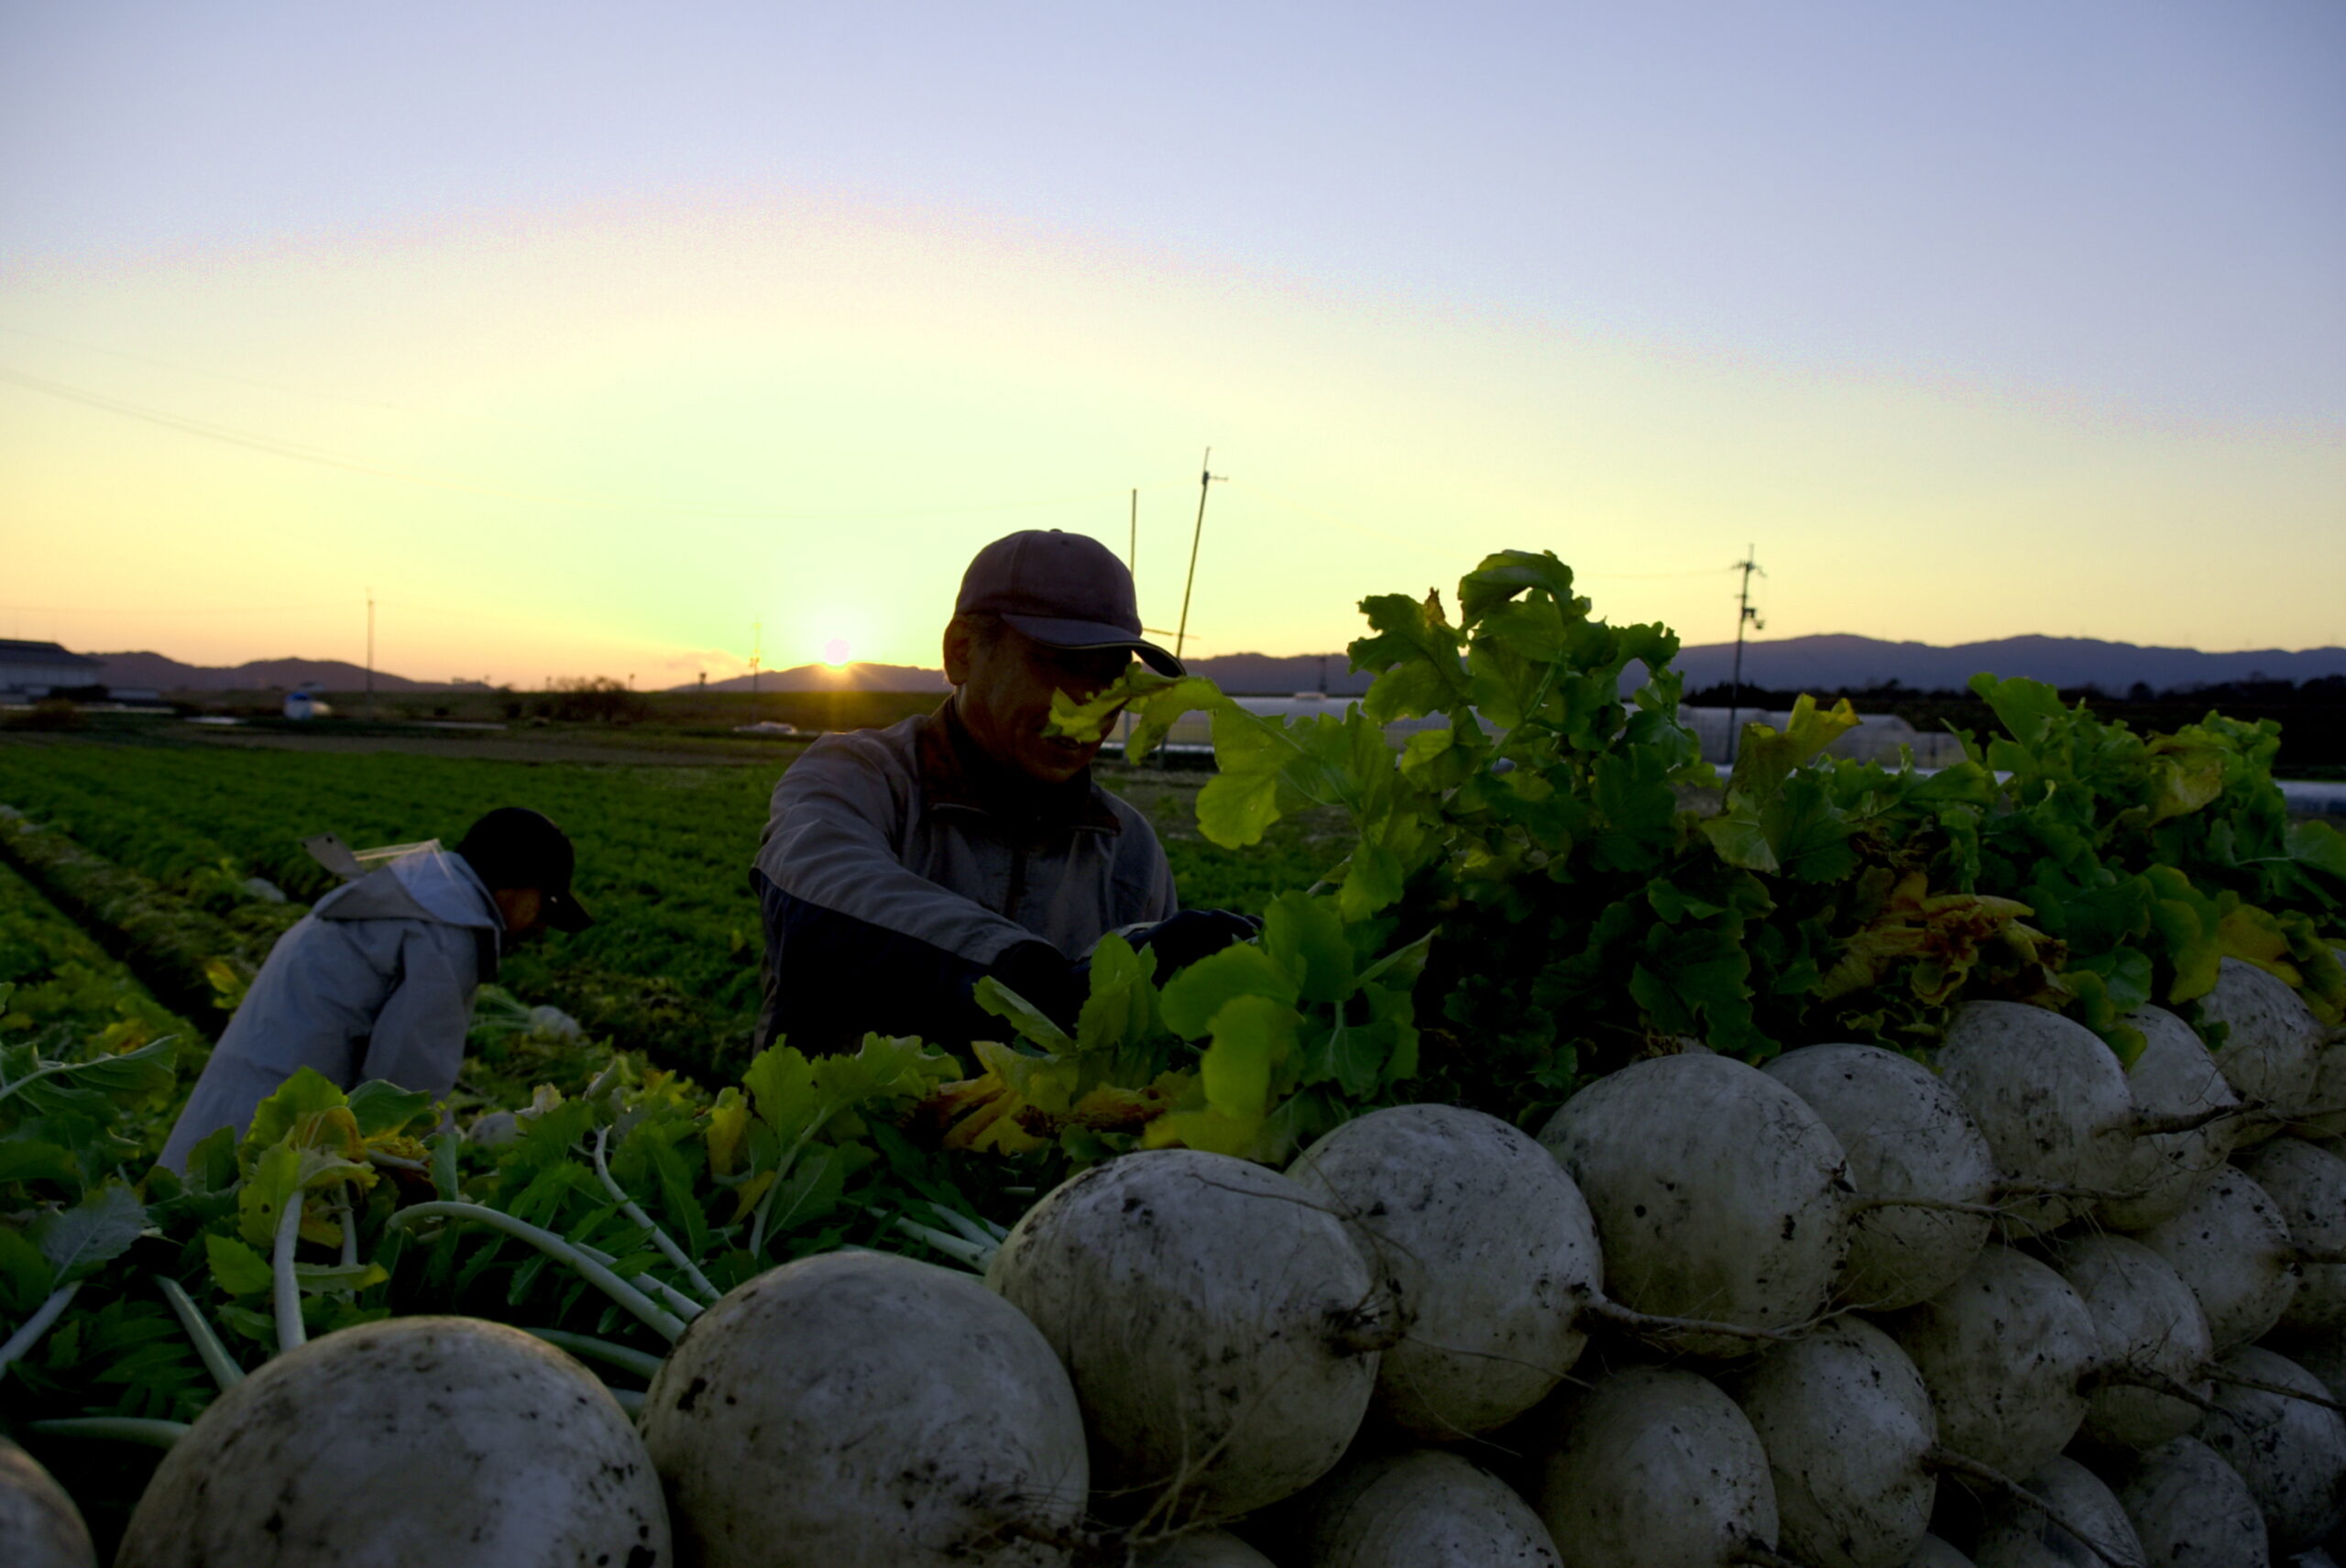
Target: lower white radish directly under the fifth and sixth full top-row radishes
[[1850, 1433]]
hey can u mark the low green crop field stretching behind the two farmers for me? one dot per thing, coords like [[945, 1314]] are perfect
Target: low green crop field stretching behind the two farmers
[[672, 964]]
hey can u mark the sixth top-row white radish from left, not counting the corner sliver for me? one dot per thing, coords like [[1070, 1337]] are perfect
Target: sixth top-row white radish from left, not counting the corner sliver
[[1906, 1137]]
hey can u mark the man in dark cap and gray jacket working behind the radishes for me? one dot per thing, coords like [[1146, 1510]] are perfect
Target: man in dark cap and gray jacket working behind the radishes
[[904, 865]]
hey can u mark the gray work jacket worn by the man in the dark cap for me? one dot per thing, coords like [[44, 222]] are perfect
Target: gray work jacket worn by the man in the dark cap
[[900, 867]]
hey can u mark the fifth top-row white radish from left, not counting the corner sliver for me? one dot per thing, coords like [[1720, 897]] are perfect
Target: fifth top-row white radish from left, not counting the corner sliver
[[1716, 1191]]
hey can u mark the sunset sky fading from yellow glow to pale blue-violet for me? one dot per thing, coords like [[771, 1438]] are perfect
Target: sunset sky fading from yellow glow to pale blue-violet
[[590, 337]]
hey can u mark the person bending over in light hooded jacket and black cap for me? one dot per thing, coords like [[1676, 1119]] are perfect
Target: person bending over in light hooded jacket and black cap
[[379, 978]]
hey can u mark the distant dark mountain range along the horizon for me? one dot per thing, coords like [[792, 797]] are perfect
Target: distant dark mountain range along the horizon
[[1796, 663]]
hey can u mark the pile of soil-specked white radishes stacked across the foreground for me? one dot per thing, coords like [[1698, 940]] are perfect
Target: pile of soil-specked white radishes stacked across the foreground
[[2009, 1306]]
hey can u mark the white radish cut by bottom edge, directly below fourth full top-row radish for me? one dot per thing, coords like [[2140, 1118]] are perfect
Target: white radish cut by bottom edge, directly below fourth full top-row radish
[[1402, 1510]]
